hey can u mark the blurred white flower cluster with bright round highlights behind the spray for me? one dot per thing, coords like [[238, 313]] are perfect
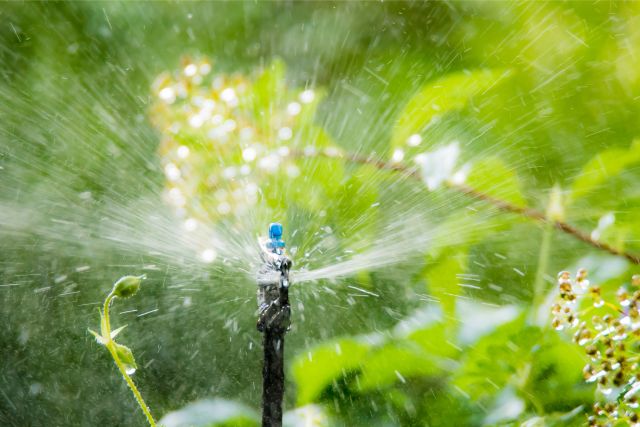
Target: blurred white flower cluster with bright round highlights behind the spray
[[223, 135]]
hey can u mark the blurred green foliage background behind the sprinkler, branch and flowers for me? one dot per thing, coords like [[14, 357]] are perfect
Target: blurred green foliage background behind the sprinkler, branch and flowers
[[537, 95]]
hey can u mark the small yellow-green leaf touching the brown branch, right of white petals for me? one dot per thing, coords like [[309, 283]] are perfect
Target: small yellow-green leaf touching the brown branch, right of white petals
[[493, 178]]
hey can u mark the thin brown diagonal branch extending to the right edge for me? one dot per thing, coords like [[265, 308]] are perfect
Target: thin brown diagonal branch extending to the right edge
[[502, 205]]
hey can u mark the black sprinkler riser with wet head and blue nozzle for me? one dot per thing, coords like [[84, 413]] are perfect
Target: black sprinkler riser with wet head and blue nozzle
[[274, 315]]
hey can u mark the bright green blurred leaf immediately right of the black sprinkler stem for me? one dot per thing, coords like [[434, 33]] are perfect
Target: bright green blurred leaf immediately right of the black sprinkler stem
[[329, 362]]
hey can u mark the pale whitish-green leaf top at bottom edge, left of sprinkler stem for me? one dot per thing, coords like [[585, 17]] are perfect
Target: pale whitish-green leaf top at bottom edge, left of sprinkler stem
[[212, 413]]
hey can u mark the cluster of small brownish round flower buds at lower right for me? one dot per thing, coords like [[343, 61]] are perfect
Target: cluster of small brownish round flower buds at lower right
[[609, 334]]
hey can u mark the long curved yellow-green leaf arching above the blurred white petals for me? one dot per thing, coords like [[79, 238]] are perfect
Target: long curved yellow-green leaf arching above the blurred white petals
[[449, 93]]
